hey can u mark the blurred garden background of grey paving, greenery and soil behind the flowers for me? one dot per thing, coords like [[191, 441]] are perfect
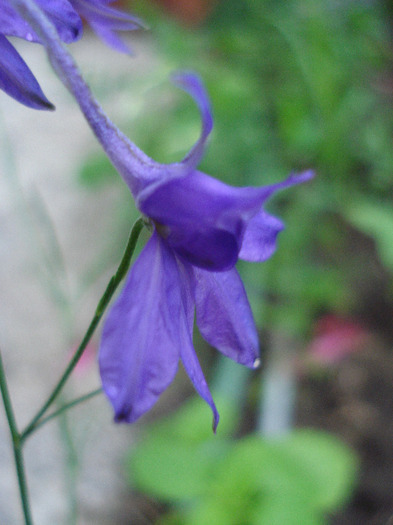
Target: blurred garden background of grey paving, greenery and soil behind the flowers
[[306, 439]]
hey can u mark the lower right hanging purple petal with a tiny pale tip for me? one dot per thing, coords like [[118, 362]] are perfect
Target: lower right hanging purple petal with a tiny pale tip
[[224, 316]]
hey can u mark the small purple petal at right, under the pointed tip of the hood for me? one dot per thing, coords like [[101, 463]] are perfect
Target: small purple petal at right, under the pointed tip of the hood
[[259, 241]]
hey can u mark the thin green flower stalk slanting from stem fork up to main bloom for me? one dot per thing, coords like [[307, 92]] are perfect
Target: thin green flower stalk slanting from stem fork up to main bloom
[[104, 301]]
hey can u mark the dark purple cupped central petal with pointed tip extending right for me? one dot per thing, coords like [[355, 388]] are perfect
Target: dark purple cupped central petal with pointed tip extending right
[[203, 219]]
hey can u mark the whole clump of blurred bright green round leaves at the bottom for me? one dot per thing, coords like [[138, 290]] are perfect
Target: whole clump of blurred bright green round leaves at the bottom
[[215, 479]]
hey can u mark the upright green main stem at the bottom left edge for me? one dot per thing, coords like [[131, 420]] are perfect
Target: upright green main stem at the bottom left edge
[[16, 444]]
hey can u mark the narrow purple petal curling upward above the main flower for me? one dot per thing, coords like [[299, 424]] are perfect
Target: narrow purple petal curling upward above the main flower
[[193, 85]]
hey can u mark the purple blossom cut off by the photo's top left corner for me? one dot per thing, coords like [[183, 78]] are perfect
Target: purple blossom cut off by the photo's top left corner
[[16, 79]]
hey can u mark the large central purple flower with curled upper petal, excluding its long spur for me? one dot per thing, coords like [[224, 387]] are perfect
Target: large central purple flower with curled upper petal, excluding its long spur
[[201, 227]]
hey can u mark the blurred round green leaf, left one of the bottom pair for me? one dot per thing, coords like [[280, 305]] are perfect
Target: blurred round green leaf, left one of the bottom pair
[[176, 457]]
